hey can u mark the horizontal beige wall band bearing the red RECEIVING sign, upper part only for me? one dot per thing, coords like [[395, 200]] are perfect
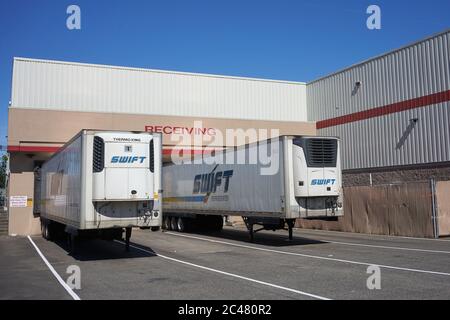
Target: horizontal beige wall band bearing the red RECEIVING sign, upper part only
[[30, 126]]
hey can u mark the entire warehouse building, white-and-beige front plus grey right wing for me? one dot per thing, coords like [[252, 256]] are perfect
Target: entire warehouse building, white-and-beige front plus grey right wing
[[391, 113]]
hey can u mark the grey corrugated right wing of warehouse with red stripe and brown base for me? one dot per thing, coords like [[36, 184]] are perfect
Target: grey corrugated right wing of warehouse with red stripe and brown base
[[393, 117]]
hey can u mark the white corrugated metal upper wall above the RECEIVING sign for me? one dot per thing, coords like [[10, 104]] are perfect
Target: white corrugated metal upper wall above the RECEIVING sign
[[54, 85]]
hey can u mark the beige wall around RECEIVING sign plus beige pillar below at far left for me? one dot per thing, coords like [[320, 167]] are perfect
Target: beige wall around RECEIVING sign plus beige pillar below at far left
[[43, 128]]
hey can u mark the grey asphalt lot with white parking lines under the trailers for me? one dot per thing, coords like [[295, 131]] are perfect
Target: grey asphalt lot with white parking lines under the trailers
[[225, 265]]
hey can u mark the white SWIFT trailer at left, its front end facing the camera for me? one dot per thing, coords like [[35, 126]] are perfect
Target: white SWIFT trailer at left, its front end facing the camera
[[101, 183]]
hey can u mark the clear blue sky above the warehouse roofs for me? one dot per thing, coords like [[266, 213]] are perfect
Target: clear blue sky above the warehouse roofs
[[289, 40]]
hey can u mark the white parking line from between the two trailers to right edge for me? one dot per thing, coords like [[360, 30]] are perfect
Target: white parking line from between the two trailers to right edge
[[310, 256]]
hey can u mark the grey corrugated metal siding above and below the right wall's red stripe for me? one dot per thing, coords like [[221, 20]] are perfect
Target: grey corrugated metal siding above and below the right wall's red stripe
[[390, 140]]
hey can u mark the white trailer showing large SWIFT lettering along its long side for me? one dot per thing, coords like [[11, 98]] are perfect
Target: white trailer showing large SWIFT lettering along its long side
[[303, 180]]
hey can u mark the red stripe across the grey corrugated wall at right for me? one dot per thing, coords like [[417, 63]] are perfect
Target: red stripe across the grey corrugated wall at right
[[388, 109]]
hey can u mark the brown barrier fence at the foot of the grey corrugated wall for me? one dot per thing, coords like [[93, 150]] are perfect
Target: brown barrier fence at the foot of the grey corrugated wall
[[399, 210]]
